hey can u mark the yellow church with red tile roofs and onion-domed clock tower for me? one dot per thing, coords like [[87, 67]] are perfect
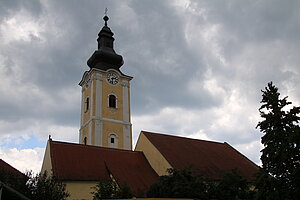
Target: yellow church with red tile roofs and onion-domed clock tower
[[105, 147]]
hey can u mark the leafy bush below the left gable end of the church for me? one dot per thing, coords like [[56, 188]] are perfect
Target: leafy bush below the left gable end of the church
[[46, 187]]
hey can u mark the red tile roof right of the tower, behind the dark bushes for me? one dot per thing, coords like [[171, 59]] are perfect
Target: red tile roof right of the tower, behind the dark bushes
[[206, 157]]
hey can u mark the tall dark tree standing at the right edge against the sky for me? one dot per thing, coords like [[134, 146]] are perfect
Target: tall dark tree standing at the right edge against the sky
[[281, 153]]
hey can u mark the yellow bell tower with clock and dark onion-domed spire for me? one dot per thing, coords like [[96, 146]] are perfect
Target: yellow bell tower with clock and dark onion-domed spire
[[105, 101]]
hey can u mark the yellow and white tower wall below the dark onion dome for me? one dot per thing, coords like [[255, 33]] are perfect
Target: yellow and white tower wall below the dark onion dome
[[99, 121]]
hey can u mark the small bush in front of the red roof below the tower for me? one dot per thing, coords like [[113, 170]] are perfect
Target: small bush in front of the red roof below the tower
[[108, 189]]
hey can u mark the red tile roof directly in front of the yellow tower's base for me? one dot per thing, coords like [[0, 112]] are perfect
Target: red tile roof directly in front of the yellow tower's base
[[90, 163]]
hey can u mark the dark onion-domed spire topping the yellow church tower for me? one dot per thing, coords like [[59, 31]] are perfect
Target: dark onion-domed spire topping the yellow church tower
[[105, 57]]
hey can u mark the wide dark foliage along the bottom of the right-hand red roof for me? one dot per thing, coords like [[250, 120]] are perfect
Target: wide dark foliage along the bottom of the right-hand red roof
[[184, 184]]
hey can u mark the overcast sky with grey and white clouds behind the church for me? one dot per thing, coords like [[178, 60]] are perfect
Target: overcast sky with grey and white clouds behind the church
[[198, 67]]
